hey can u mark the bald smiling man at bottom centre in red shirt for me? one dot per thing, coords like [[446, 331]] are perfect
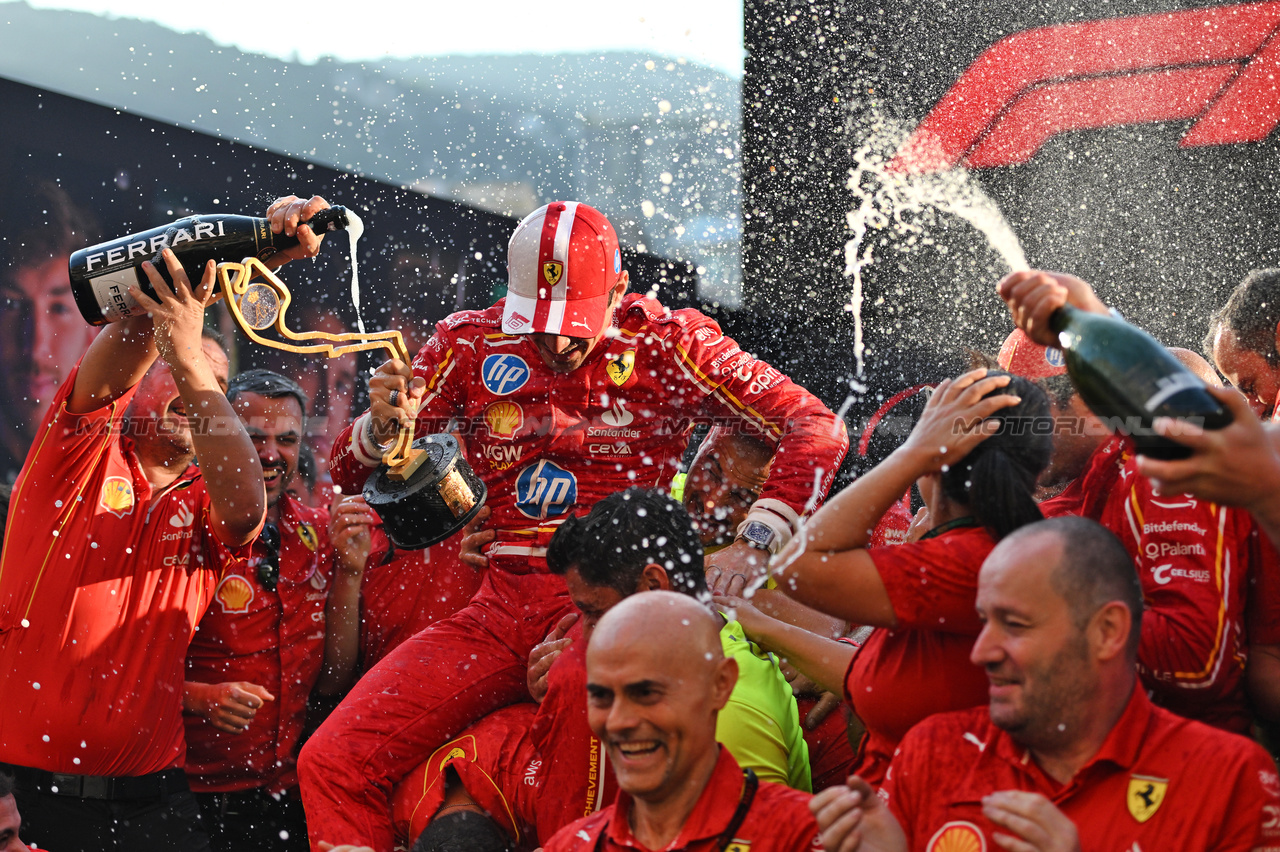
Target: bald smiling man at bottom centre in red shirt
[[656, 681]]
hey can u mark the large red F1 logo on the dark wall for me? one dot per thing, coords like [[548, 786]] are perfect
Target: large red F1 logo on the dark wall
[[1215, 66]]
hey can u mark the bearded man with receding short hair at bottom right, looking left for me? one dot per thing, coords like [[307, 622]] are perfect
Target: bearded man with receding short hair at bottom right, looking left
[[1069, 754]]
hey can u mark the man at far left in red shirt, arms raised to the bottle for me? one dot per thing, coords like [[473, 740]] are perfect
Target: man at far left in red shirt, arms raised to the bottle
[[111, 560]]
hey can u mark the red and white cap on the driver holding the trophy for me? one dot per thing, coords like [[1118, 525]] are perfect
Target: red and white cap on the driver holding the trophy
[[563, 263]]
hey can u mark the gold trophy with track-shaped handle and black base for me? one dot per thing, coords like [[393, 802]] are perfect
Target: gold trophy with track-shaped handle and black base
[[424, 489]]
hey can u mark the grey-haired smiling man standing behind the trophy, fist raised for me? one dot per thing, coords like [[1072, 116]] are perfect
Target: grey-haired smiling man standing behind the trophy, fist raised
[[284, 622]]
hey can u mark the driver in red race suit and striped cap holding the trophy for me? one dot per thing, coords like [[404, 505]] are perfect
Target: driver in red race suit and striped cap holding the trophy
[[568, 391]]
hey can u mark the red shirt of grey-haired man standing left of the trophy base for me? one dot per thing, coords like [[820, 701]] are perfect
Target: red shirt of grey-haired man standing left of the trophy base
[[275, 640]]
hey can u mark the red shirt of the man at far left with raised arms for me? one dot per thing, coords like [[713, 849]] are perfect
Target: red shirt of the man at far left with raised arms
[[102, 587]]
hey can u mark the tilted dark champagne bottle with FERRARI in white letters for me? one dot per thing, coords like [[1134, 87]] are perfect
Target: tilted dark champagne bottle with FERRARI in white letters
[[103, 274]]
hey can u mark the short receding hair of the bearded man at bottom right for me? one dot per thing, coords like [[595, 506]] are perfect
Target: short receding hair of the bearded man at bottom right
[[1094, 571]]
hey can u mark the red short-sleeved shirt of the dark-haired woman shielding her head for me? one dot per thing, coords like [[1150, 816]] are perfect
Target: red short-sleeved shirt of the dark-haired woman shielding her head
[[922, 667]]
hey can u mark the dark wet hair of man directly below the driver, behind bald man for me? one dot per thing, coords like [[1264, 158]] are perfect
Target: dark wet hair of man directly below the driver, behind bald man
[[623, 534]]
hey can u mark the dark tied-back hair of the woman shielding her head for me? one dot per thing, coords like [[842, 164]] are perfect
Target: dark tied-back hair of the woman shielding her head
[[998, 479]]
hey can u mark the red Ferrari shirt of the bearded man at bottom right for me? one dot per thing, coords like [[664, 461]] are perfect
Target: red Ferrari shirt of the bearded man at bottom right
[[1159, 784]]
